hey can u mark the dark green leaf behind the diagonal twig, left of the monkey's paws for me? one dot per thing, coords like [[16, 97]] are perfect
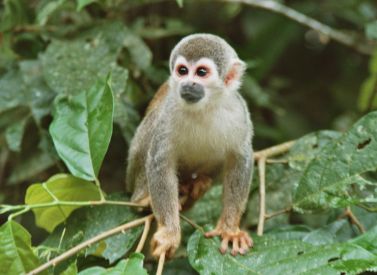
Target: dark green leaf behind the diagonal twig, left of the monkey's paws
[[87, 222]]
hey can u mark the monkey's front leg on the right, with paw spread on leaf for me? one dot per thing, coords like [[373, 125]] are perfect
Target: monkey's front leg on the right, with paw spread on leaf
[[235, 193]]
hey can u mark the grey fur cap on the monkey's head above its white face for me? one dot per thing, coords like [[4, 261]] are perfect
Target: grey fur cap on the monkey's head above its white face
[[198, 47]]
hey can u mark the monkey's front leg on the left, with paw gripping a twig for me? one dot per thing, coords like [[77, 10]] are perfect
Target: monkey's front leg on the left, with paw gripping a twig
[[163, 190]]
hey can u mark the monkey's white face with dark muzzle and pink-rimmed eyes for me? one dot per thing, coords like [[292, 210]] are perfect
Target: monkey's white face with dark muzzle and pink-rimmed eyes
[[195, 82]]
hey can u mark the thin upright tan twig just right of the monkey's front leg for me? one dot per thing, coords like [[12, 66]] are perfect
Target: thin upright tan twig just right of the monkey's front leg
[[262, 195]]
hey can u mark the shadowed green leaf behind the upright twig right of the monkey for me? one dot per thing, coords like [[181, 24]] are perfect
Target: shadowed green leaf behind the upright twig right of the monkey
[[282, 178]]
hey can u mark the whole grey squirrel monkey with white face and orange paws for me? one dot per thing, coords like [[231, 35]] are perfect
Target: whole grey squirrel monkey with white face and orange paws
[[196, 128]]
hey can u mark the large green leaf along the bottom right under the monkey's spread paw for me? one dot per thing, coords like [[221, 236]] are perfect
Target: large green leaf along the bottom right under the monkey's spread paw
[[272, 255]]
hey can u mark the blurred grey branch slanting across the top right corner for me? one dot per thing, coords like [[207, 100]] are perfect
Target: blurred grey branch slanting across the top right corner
[[364, 46]]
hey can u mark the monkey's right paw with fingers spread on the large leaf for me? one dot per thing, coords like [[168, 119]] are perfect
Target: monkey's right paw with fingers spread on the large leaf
[[240, 239]]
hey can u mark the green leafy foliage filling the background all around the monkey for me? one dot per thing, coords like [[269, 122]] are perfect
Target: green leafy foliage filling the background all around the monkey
[[75, 79]]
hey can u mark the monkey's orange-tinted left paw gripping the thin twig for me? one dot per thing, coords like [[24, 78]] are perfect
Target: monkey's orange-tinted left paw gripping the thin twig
[[165, 240]]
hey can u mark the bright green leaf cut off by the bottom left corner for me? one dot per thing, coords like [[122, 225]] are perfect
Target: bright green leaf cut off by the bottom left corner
[[16, 253]]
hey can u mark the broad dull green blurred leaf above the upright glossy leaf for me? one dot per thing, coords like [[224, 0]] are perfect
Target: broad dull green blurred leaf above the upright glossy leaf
[[90, 60]]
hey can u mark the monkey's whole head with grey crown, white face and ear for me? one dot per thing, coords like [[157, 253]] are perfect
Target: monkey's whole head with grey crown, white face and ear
[[203, 68]]
